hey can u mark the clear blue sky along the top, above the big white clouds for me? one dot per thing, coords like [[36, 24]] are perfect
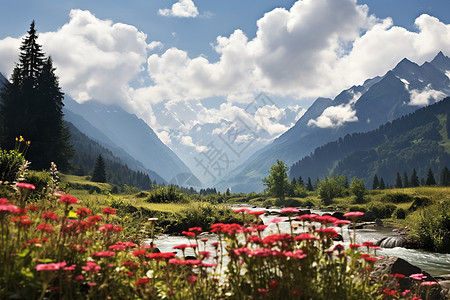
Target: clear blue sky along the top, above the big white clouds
[[217, 17]]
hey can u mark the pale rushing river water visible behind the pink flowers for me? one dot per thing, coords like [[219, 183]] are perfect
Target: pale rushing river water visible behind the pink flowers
[[434, 263]]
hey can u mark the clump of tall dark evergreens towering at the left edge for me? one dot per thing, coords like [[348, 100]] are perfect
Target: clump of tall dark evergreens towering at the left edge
[[32, 107]]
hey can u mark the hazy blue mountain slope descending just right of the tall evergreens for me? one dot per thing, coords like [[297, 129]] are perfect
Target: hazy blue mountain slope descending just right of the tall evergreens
[[121, 131]]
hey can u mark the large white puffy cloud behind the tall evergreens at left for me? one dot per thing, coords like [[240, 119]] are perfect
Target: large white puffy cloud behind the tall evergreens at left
[[95, 59]]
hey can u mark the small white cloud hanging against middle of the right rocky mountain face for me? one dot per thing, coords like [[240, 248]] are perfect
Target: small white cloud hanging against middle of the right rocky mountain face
[[335, 116]]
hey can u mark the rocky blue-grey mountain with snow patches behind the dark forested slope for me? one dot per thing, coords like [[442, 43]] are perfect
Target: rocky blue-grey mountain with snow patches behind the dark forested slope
[[379, 100]]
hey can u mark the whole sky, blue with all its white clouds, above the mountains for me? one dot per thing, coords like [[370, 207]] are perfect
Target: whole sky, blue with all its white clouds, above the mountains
[[189, 67]]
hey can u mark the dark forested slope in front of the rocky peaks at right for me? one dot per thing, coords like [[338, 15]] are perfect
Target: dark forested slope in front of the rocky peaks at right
[[417, 141]]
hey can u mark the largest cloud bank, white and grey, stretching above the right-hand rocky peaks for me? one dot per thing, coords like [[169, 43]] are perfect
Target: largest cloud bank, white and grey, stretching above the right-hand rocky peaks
[[315, 48]]
